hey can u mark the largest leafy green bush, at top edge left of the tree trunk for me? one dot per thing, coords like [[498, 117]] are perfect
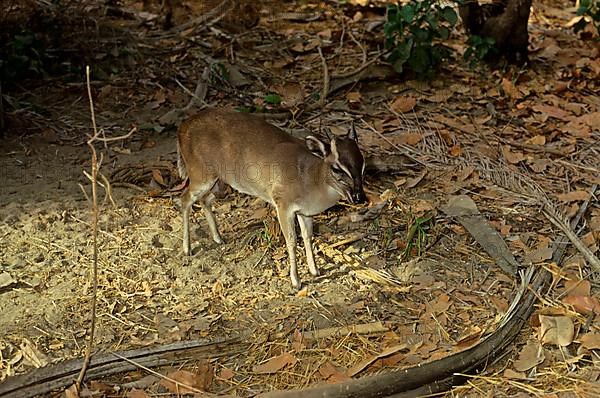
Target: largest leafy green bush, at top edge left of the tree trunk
[[414, 32]]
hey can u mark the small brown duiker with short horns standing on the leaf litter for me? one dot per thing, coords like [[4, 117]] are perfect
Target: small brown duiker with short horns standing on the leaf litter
[[300, 178]]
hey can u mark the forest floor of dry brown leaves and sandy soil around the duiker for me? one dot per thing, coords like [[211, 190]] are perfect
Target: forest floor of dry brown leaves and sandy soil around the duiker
[[475, 132]]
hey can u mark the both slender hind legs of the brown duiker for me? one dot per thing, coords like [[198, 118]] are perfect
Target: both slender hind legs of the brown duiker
[[189, 197]]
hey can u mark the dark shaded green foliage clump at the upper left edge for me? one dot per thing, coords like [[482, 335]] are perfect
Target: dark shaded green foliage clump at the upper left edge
[[23, 55]]
